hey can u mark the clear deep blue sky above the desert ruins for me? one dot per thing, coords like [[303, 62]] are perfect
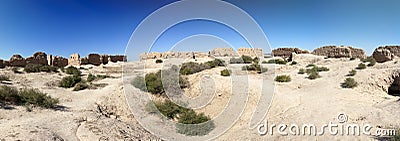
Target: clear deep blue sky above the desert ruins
[[63, 27]]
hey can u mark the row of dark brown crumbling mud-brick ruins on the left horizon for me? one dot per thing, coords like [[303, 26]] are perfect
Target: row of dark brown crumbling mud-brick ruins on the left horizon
[[58, 61]]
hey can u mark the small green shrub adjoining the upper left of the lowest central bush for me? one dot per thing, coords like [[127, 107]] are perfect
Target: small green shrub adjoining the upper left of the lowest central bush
[[170, 109]]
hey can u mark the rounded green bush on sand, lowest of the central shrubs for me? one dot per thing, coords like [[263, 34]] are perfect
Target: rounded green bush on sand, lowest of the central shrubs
[[200, 125]]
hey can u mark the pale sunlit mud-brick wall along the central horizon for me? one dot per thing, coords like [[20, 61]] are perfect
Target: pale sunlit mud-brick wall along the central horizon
[[216, 52]]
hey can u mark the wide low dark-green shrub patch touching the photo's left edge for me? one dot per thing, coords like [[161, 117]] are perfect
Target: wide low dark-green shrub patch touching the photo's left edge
[[11, 95]]
